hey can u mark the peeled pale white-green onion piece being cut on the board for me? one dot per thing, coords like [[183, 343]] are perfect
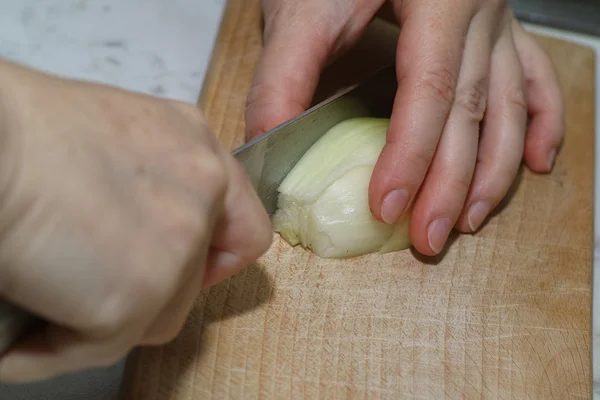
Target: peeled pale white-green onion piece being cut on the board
[[323, 202]]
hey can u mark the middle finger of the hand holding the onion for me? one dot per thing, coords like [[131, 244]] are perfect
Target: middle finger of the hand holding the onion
[[444, 190]]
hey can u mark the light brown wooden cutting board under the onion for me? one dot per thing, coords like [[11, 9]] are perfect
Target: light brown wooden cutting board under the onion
[[504, 313]]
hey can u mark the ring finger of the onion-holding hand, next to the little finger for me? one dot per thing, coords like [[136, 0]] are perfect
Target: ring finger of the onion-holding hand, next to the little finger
[[503, 132]]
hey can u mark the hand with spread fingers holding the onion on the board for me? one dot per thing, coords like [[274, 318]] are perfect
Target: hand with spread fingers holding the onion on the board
[[469, 77]]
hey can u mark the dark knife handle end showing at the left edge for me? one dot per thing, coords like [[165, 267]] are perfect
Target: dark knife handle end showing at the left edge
[[14, 324]]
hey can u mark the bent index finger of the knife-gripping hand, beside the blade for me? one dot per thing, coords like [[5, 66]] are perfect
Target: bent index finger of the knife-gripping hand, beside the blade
[[244, 231]]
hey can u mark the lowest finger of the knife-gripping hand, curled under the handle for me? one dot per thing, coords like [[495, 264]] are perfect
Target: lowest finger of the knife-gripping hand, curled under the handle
[[55, 351]]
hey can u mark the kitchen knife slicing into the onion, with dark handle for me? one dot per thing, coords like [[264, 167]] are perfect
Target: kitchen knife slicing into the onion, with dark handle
[[266, 159]]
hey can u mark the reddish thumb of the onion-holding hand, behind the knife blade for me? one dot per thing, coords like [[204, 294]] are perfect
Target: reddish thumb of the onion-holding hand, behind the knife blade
[[287, 74]]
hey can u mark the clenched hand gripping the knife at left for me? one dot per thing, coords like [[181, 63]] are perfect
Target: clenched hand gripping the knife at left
[[116, 208]]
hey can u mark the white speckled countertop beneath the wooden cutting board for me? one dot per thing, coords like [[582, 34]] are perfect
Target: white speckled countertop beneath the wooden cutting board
[[156, 47]]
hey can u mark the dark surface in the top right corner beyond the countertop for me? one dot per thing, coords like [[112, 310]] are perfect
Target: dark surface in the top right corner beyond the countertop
[[582, 16]]
